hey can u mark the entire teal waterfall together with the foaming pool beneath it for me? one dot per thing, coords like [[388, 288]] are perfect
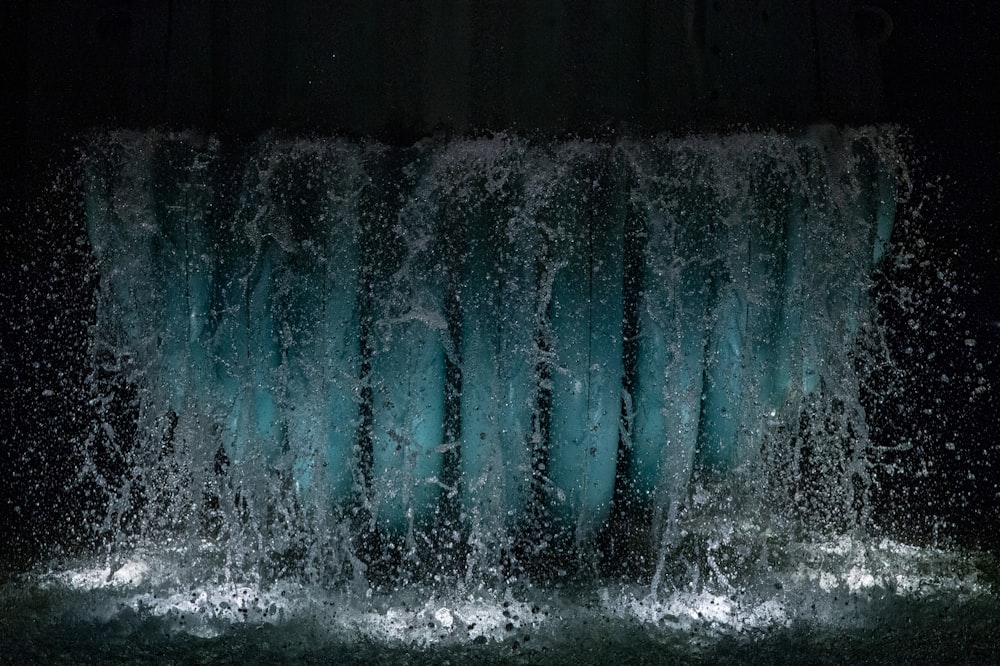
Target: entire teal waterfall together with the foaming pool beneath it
[[493, 399]]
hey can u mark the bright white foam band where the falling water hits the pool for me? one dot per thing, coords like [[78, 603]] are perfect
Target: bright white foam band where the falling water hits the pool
[[825, 576]]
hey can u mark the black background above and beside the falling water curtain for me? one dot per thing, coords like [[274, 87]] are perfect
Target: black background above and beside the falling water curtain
[[397, 71]]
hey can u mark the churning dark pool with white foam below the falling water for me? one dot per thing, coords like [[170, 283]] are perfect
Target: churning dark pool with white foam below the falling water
[[842, 601]]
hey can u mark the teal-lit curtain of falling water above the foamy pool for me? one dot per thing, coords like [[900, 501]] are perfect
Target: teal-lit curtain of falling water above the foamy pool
[[345, 354]]
